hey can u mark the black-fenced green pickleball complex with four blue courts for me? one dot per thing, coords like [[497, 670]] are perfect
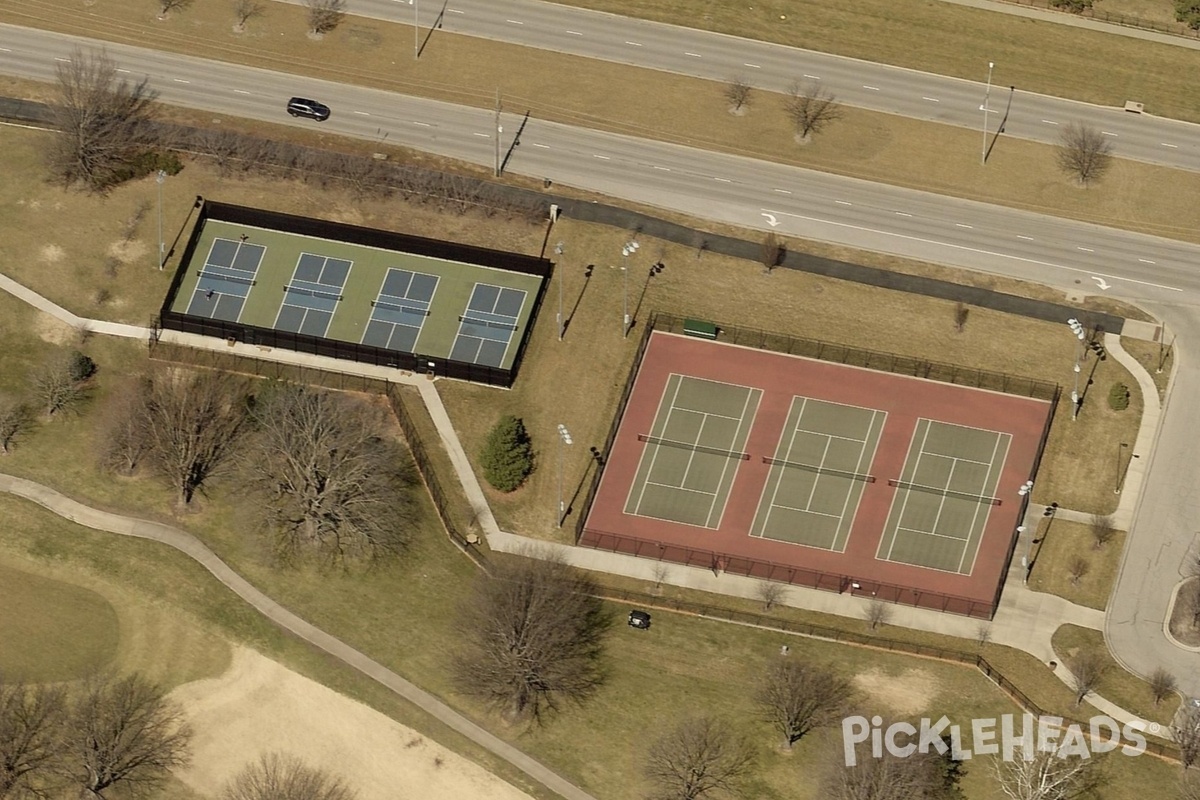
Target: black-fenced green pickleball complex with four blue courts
[[355, 293]]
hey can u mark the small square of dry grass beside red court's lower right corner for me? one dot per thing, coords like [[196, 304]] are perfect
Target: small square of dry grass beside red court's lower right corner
[[1061, 542]]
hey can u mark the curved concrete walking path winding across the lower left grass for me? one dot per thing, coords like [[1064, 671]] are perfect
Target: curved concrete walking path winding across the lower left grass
[[183, 542]]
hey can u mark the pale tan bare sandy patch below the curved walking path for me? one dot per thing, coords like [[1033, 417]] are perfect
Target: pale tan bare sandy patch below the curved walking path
[[260, 706]]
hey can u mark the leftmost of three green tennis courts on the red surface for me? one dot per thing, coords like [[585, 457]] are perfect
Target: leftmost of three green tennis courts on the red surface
[[693, 452]]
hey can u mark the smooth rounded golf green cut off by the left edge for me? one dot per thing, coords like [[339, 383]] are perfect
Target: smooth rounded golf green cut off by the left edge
[[68, 631]]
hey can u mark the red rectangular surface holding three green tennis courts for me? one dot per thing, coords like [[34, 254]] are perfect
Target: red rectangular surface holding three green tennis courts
[[893, 516]]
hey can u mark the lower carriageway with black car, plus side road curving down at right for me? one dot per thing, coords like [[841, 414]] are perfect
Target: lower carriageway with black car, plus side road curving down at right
[[1159, 274]]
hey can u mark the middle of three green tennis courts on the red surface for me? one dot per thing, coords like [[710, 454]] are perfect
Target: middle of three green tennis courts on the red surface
[[819, 473]]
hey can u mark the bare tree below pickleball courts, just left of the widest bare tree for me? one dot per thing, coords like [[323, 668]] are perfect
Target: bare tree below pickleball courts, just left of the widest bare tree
[[194, 423]]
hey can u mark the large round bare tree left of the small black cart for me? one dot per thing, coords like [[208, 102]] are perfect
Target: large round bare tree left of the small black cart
[[533, 635]]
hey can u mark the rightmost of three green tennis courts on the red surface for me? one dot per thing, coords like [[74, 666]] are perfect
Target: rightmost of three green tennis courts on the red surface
[[945, 496]]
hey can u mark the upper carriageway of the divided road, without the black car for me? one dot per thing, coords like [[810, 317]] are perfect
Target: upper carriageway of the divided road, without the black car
[[896, 91]]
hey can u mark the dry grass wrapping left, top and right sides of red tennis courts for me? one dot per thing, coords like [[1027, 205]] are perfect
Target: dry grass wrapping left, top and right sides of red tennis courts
[[593, 360]]
